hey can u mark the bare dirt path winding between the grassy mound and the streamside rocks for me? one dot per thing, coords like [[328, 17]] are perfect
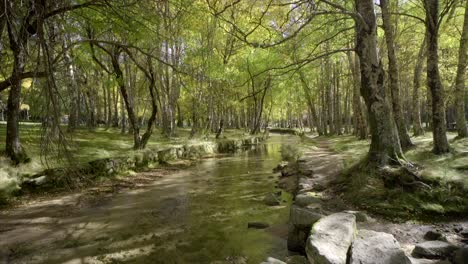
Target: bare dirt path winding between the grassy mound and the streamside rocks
[[327, 166]]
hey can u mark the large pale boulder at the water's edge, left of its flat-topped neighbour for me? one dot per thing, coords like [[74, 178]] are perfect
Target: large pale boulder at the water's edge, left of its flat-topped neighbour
[[331, 238]]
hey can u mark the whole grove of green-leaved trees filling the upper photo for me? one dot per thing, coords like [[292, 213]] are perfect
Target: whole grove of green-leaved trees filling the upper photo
[[384, 69]]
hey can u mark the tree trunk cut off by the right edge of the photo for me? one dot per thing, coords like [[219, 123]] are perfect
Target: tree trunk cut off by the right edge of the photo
[[460, 79]]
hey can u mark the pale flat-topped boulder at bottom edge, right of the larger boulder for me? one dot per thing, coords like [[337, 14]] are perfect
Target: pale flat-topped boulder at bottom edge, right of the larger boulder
[[372, 247]]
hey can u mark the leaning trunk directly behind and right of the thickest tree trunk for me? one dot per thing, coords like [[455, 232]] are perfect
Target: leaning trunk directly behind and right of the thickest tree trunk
[[405, 140]]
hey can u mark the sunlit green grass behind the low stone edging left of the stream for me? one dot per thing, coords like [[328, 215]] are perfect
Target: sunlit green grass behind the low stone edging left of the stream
[[87, 145]]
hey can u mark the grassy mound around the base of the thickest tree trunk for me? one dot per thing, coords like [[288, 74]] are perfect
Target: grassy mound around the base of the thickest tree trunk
[[445, 175]]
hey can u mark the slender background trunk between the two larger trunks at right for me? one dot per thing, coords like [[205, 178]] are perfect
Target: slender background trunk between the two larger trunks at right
[[417, 124]]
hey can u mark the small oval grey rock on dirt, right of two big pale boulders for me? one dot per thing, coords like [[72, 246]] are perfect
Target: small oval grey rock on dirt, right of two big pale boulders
[[433, 249]]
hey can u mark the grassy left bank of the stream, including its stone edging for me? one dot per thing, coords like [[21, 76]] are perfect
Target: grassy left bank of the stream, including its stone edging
[[107, 146]]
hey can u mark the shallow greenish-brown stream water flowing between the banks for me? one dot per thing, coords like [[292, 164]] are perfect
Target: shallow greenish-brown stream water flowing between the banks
[[198, 215]]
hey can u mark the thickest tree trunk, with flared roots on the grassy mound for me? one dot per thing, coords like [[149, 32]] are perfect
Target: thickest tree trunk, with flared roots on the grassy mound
[[385, 146]]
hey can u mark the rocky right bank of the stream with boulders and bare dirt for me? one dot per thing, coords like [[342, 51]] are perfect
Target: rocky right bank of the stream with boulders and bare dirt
[[326, 230]]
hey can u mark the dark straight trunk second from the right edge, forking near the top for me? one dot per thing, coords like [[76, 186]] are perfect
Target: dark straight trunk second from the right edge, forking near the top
[[434, 83]]
